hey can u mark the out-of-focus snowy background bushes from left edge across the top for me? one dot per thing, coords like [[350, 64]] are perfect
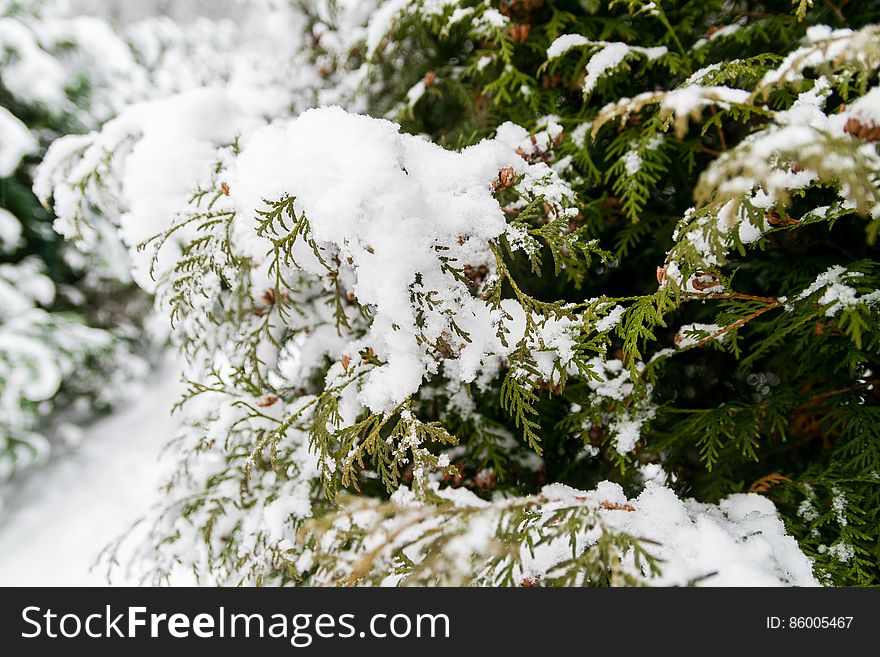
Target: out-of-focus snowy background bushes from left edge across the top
[[69, 314]]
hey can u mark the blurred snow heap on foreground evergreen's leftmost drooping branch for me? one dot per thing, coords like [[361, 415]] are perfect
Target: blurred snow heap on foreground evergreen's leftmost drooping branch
[[176, 141]]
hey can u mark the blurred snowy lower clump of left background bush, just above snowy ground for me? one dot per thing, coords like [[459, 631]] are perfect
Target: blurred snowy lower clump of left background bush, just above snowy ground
[[50, 360]]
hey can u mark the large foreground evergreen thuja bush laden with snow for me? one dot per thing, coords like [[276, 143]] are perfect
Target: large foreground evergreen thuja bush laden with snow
[[507, 325]]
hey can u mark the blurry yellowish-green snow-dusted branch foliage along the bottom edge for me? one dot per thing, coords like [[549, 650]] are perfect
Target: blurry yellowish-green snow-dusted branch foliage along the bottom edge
[[378, 554]]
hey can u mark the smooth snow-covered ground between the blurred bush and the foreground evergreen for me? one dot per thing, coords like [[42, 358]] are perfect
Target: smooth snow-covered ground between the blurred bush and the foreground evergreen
[[57, 519]]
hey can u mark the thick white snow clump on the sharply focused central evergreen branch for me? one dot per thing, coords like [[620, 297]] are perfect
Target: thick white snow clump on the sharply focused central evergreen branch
[[384, 201]]
